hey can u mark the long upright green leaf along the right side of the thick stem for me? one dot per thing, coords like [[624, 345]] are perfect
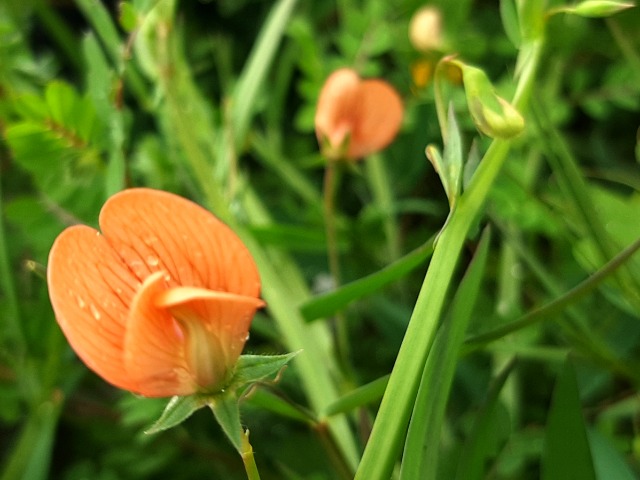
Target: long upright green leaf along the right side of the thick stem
[[422, 446]]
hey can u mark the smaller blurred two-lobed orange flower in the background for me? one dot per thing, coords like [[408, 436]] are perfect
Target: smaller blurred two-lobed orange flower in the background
[[356, 117]]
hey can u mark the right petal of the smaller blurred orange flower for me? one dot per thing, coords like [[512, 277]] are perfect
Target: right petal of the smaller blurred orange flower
[[379, 114]]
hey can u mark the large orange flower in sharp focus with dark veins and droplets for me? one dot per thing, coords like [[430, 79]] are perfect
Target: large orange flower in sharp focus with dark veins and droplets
[[161, 301]]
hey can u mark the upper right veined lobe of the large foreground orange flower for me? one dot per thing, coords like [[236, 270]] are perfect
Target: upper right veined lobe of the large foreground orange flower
[[155, 231]]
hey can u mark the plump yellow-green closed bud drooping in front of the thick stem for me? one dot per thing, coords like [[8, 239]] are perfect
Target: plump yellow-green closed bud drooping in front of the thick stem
[[493, 115]]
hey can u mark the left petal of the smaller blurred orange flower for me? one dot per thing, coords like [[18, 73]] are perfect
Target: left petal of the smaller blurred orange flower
[[338, 99]]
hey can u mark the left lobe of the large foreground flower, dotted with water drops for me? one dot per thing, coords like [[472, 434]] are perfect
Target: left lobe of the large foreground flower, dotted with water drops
[[90, 290]]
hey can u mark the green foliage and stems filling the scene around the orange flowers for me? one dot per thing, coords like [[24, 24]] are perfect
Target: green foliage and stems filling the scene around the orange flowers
[[216, 101]]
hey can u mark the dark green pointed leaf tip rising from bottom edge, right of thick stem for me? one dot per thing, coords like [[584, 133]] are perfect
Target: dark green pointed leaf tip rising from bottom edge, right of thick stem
[[566, 451]]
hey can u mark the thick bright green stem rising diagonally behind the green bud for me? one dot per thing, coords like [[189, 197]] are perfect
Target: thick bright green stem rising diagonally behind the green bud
[[387, 436]]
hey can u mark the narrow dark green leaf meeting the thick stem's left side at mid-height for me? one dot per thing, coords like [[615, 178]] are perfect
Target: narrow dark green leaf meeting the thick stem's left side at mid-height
[[327, 304]]
